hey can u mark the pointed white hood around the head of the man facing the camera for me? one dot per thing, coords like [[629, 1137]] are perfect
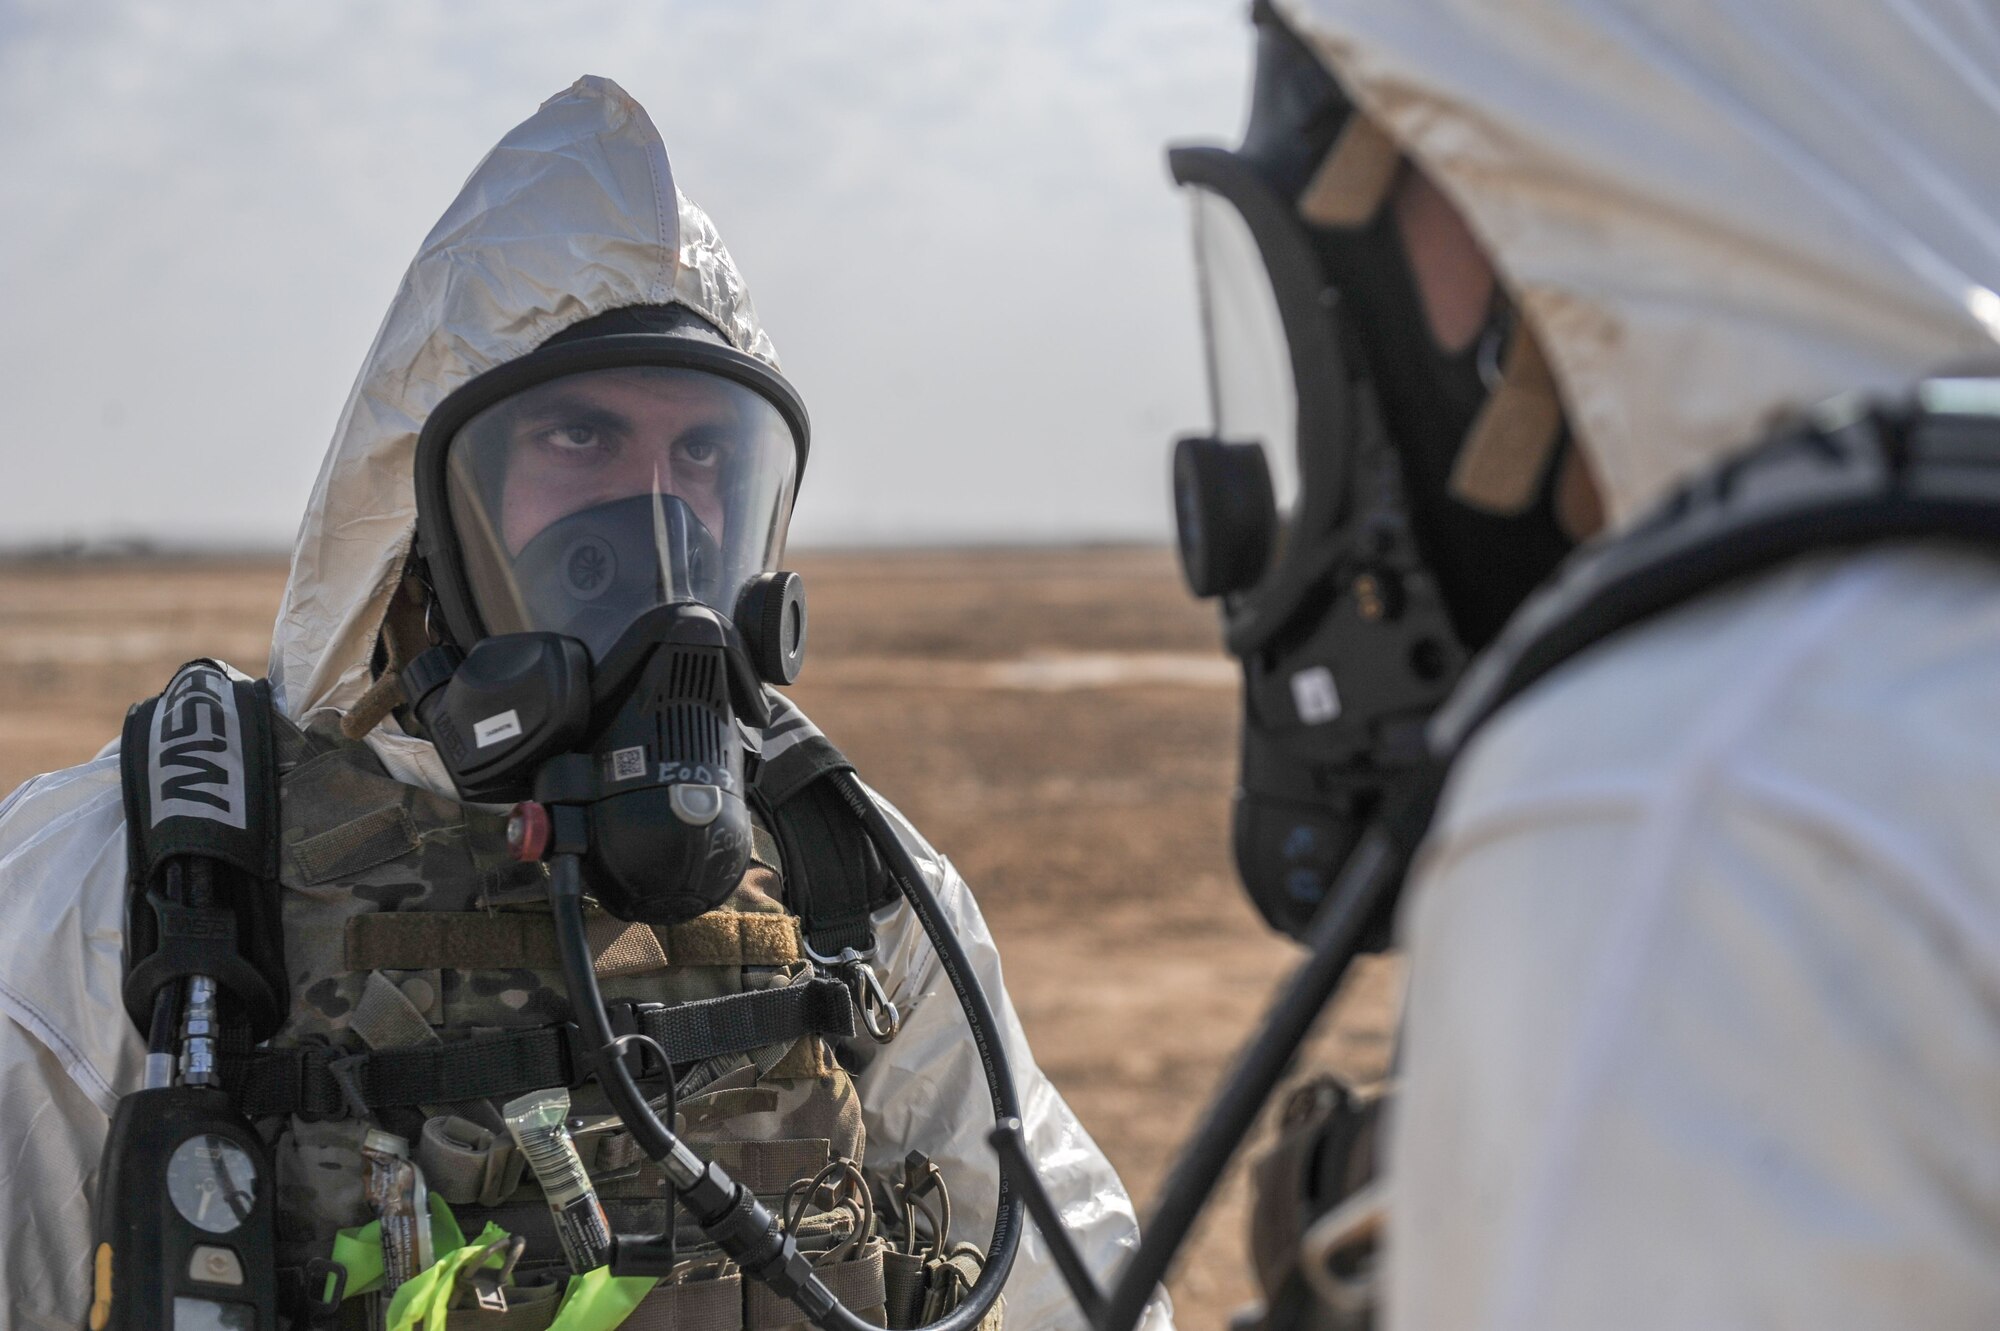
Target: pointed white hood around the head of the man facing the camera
[[575, 213]]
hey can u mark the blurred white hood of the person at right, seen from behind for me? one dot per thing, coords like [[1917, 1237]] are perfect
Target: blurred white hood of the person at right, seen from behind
[[1711, 211]]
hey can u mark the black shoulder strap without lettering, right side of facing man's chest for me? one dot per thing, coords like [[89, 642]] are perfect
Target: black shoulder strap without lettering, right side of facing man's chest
[[833, 874]]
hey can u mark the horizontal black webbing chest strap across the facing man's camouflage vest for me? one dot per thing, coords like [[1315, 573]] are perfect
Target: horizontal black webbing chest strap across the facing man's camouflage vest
[[325, 1082]]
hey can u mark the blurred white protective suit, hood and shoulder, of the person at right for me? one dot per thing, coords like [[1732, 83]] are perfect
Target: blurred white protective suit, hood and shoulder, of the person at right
[[1705, 994]]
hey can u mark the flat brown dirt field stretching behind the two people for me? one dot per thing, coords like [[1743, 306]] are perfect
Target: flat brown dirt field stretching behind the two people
[[1059, 722]]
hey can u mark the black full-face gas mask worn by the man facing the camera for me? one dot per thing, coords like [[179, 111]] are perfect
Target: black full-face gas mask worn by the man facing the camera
[[599, 525]]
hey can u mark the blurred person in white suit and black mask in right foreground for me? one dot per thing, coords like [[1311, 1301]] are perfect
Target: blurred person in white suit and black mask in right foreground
[[1703, 940]]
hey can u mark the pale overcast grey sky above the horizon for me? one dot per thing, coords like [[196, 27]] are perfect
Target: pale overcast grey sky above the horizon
[[955, 221]]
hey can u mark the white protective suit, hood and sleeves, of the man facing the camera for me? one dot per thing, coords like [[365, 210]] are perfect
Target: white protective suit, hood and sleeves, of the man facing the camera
[[573, 215]]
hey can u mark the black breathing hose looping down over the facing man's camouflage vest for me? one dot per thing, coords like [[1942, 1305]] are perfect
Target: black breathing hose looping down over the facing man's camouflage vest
[[729, 1212]]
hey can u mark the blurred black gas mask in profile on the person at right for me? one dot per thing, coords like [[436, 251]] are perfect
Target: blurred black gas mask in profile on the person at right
[[1369, 507]]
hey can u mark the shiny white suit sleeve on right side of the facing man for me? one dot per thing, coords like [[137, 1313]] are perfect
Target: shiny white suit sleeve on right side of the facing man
[[927, 1092]]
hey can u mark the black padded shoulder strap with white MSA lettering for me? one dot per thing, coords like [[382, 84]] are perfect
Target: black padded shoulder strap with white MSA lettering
[[201, 784]]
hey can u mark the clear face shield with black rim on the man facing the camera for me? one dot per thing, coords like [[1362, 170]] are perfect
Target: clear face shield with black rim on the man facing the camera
[[601, 479]]
